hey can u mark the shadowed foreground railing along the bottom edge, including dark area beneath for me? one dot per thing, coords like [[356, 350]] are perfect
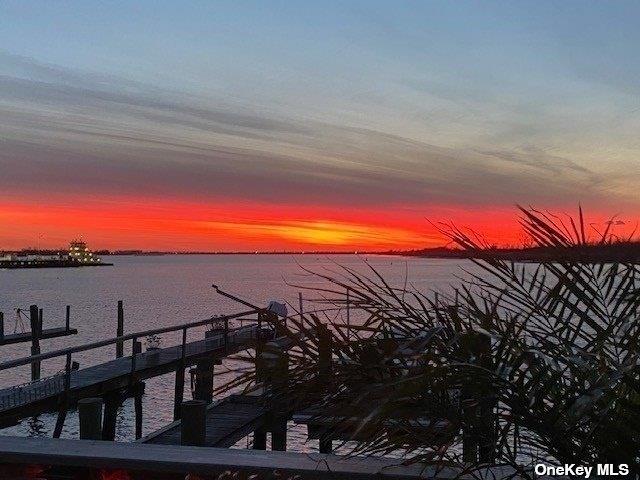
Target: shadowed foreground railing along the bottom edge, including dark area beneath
[[97, 459]]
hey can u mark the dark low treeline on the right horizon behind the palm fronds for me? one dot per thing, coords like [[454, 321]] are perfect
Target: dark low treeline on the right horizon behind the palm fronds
[[590, 253]]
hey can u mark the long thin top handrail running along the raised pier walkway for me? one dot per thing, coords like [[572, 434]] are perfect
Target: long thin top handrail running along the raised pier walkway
[[103, 343]]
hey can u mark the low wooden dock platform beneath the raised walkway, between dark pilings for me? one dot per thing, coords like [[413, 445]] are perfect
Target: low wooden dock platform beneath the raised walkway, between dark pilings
[[228, 421]]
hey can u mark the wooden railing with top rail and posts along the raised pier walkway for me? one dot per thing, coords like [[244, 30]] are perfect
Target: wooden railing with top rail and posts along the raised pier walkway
[[61, 382]]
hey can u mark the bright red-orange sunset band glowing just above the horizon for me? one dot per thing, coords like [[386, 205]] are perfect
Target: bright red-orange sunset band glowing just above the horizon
[[174, 225]]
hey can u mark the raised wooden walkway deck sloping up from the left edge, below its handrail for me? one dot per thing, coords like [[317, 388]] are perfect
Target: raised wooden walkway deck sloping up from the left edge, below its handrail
[[45, 394]]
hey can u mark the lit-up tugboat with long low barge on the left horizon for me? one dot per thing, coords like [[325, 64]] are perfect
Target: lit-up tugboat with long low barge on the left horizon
[[79, 255]]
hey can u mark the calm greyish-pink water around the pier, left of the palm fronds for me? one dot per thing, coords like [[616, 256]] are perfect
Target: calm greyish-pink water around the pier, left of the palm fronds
[[169, 290]]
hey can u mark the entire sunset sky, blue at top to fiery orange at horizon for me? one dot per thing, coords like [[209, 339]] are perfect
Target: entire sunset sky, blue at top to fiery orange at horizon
[[226, 126]]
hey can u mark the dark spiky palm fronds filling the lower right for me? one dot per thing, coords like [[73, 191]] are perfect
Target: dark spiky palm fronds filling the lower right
[[519, 363]]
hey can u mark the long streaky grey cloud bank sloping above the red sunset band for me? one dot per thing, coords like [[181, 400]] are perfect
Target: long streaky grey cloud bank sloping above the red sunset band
[[67, 131]]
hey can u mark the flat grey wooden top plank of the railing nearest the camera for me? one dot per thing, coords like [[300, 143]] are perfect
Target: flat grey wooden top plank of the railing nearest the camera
[[210, 461]]
